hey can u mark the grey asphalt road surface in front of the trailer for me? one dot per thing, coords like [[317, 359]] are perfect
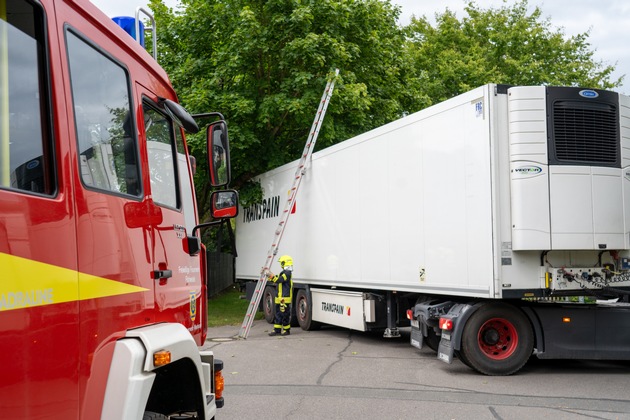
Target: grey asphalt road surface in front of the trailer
[[341, 374]]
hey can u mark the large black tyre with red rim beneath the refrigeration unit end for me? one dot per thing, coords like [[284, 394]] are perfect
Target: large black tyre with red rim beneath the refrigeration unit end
[[497, 340]]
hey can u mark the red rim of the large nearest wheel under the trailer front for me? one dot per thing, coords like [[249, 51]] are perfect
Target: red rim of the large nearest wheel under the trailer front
[[497, 338]]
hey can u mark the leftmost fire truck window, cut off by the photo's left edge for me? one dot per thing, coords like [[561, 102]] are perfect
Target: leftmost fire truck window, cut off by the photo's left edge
[[25, 141]]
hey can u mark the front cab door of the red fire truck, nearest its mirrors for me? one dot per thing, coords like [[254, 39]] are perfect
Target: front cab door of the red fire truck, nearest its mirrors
[[178, 287]]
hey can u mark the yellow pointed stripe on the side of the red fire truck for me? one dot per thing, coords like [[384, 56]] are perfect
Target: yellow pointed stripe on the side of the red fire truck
[[29, 283]]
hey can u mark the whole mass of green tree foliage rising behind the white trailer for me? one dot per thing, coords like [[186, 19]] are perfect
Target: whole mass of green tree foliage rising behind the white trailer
[[264, 64]]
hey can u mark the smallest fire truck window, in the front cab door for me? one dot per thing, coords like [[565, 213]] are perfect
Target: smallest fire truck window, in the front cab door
[[160, 146]]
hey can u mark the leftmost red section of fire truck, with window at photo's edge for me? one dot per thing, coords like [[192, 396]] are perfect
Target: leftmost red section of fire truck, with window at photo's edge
[[39, 307]]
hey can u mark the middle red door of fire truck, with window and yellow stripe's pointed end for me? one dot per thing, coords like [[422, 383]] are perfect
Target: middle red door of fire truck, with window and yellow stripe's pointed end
[[112, 213]]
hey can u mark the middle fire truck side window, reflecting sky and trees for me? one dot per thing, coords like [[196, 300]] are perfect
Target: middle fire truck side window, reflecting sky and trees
[[102, 110]]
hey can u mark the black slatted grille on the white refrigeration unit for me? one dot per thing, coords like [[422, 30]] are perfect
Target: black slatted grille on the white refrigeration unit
[[585, 133]]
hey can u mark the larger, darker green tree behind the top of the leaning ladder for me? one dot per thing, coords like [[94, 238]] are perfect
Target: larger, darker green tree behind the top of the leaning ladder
[[264, 65]]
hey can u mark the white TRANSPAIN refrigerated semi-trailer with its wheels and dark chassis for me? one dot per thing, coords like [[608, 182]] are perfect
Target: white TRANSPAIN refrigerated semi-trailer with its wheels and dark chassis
[[473, 219]]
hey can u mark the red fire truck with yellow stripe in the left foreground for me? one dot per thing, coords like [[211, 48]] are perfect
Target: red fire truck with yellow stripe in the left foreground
[[103, 297]]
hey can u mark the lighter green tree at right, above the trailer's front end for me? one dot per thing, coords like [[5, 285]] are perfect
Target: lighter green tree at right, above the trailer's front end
[[500, 45]]
